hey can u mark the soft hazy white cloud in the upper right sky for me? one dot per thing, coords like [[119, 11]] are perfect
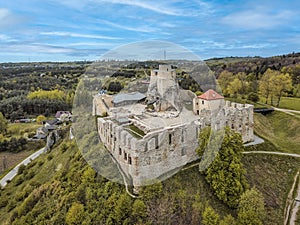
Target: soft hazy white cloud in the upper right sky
[[251, 19]]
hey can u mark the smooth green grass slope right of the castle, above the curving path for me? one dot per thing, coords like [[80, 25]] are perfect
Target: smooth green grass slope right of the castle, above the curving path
[[280, 129]]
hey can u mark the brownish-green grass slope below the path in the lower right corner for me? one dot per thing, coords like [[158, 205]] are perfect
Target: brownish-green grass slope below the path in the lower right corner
[[273, 175]]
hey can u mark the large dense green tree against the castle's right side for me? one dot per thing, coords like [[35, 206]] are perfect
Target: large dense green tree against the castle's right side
[[226, 174]]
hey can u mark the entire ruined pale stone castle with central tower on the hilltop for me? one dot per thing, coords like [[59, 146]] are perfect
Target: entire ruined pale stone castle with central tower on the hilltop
[[151, 135]]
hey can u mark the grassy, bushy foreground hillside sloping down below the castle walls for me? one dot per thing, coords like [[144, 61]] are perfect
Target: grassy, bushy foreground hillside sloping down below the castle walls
[[59, 186]]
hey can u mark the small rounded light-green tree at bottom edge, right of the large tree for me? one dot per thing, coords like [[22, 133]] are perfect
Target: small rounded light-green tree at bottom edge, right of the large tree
[[251, 210]]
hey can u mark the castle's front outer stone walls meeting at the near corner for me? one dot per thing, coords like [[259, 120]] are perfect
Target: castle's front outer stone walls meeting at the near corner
[[155, 154]]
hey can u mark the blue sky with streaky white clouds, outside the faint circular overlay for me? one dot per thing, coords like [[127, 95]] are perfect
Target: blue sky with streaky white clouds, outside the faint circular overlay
[[67, 30]]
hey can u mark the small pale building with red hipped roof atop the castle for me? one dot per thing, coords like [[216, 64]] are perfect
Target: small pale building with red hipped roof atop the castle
[[211, 100]]
